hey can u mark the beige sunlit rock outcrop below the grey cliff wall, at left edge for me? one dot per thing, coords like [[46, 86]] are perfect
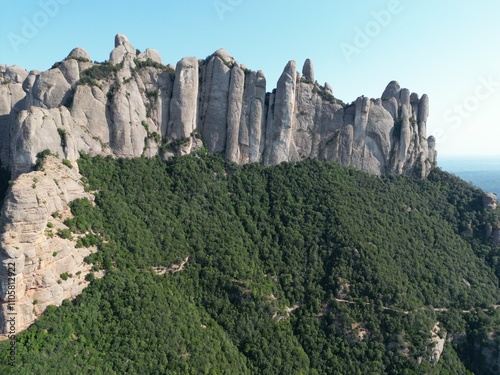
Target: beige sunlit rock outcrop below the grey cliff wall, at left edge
[[37, 267]]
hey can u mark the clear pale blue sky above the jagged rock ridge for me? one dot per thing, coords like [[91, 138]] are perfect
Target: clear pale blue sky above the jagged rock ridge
[[447, 49]]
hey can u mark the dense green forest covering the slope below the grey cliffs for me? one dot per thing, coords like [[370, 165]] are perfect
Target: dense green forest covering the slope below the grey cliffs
[[298, 268]]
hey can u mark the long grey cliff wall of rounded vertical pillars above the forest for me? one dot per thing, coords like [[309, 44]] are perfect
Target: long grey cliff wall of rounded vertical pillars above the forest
[[133, 105]]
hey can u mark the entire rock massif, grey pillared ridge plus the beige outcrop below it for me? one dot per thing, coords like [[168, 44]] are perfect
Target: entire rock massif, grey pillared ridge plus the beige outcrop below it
[[132, 105]]
